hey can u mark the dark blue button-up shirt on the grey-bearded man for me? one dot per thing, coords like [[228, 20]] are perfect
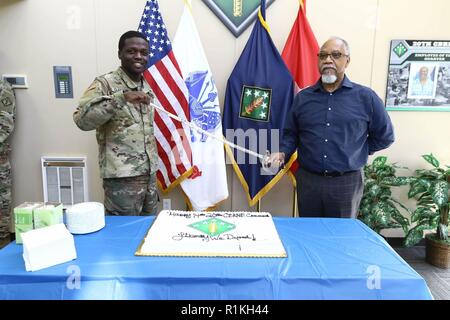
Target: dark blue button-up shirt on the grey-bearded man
[[336, 132]]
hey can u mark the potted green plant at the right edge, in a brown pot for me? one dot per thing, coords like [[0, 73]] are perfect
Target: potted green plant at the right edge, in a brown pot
[[431, 188]]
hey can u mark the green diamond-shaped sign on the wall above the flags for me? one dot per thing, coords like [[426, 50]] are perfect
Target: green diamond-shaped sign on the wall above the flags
[[237, 15]]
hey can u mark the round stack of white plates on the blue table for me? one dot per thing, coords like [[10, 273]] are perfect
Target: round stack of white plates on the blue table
[[85, 217]]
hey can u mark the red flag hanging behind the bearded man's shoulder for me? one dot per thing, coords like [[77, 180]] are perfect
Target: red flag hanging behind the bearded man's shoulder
[[300, 55]]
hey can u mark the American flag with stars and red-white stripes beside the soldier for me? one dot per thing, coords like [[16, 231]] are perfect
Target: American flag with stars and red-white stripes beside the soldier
[[164, 77]]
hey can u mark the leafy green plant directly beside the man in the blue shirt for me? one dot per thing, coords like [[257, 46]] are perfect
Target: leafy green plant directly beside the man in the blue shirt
[[378, 209]]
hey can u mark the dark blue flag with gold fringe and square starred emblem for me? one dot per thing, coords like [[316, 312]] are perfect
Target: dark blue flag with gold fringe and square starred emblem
[[259, 94]]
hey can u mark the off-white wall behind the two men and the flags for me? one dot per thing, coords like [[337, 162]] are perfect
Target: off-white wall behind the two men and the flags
[[38, 34]]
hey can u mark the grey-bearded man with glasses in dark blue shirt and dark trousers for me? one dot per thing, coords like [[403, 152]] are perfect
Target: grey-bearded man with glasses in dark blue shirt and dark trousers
[[334, 125]]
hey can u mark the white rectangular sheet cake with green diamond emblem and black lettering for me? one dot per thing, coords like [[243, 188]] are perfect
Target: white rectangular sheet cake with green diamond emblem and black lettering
[[220, 233]]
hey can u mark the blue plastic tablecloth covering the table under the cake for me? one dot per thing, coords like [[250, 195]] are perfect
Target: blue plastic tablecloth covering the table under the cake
[[327, 259]]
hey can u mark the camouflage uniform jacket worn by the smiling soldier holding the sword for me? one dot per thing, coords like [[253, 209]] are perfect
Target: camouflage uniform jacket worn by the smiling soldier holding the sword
[[125, 135]]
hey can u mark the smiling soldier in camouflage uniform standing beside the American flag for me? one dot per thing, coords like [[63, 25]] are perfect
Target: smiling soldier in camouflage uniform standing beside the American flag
[[117, 106]]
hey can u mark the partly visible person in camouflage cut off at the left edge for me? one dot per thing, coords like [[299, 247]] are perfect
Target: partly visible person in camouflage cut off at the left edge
[[7, 118]]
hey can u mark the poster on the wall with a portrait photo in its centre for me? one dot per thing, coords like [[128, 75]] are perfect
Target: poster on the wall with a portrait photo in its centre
[[419, 75]]
